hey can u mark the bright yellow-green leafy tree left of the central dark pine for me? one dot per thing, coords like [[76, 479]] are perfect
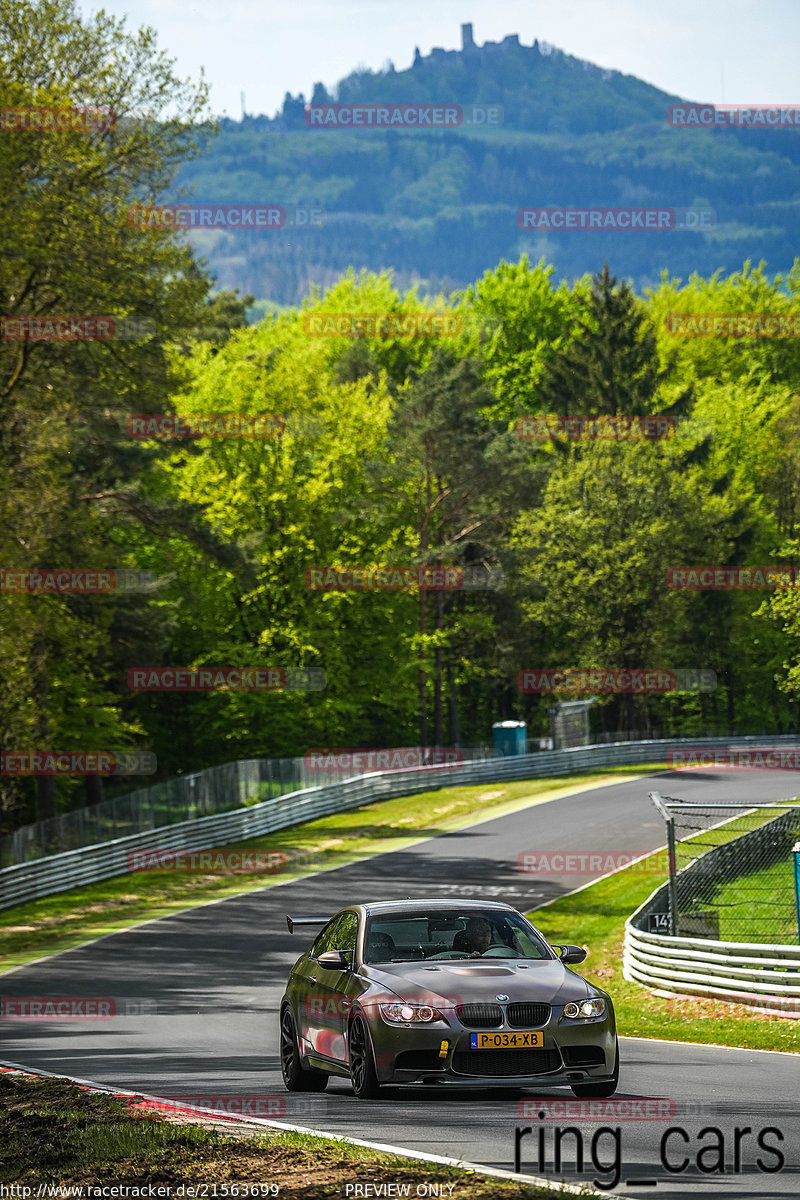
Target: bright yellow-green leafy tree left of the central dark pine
[[290, 505]]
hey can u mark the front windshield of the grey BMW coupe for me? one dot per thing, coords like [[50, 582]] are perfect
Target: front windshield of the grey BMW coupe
[[452, 934]]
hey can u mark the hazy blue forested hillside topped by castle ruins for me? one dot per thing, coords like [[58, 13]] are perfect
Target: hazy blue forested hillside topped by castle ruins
[[441, 206]]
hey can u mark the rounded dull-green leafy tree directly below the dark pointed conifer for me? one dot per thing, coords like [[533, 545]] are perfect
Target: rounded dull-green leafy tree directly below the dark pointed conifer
[[613, 520]]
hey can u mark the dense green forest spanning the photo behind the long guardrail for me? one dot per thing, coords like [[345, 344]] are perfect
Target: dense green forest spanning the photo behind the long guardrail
[[396, 451]]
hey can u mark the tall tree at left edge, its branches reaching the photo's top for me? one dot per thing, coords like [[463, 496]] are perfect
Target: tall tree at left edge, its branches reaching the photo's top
[[71, 476]]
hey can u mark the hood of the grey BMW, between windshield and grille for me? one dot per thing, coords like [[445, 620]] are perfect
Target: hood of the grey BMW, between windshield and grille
[[546, 981]]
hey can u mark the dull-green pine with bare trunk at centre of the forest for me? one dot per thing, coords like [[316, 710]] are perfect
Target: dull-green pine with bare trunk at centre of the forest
[[453, 479]]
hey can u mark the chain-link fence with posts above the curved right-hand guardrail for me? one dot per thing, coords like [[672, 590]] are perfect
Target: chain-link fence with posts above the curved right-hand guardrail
[[732, 871]]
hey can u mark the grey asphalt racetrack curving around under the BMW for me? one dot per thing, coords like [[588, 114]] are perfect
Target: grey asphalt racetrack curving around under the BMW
[[212, 980]]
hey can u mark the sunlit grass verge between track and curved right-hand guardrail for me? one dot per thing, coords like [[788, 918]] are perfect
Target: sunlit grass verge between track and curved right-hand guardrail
[[596, 919]]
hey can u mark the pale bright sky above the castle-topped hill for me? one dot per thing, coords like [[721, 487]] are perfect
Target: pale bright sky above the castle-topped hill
[[714, 51]]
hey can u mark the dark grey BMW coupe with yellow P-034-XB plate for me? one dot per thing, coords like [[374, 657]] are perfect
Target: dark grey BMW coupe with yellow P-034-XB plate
[[452, 993]]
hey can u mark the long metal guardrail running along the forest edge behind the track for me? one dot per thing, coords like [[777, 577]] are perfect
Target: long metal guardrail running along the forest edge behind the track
[[91, 865]]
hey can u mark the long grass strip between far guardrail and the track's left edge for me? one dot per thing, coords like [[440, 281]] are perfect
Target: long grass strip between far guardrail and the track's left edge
[[70, 919]]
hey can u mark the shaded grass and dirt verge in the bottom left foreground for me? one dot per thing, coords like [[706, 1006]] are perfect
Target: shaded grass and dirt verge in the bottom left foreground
[[53, 1132]]
